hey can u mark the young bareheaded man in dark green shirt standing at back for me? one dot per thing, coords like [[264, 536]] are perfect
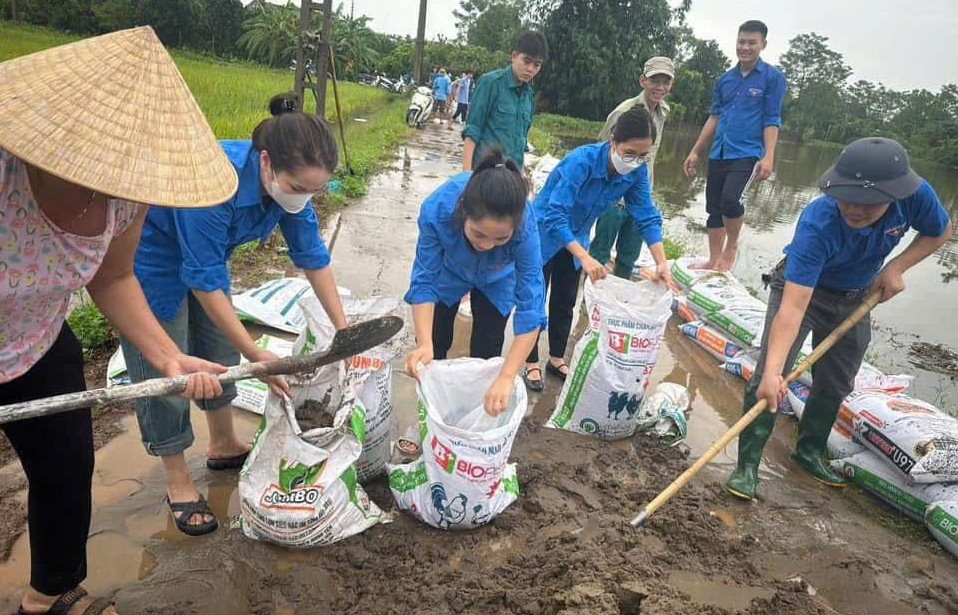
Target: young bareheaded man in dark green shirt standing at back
[[504, 103]]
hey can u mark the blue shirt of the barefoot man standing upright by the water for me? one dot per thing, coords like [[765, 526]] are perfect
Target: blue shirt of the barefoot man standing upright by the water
[[745, 107]]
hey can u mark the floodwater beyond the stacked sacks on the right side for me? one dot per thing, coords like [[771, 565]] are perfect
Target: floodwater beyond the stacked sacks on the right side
[[772, 210]]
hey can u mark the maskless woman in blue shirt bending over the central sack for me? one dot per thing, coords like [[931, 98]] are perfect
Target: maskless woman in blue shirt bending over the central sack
[[477, 236]]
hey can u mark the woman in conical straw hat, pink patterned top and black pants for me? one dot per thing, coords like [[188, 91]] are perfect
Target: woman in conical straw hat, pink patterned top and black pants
[[88, 131]]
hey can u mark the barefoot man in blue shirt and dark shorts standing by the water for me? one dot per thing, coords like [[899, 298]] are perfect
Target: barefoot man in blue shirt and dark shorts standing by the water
[[744, 120]]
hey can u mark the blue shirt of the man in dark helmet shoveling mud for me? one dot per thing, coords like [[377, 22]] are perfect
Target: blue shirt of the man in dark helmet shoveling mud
[[828, 253]]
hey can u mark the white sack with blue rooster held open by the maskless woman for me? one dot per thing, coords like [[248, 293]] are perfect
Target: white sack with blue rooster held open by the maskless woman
[[462, 477]]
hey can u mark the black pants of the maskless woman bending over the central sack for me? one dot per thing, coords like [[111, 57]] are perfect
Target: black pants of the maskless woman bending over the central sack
[[488, 328]]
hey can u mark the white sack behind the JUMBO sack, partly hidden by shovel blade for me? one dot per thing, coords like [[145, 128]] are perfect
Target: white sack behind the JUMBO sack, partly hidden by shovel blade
[[367, 376]]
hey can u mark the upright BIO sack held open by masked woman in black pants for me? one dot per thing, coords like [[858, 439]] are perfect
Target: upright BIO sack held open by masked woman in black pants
[[612, 362]]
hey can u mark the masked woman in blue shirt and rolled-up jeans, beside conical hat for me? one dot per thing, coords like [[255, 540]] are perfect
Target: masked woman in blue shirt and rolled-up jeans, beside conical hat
[[182, 264]]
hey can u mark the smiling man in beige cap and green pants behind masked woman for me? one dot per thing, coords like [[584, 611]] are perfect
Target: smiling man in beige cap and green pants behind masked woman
[[616, 226]]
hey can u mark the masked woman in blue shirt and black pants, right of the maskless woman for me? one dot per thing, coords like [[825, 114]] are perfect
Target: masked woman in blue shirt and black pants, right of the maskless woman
[[590, 180]]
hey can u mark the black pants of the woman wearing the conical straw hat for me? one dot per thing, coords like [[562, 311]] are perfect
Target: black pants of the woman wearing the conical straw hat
[[56, 453]]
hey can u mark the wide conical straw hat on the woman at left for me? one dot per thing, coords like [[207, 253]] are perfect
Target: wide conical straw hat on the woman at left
[[112, 113]]
